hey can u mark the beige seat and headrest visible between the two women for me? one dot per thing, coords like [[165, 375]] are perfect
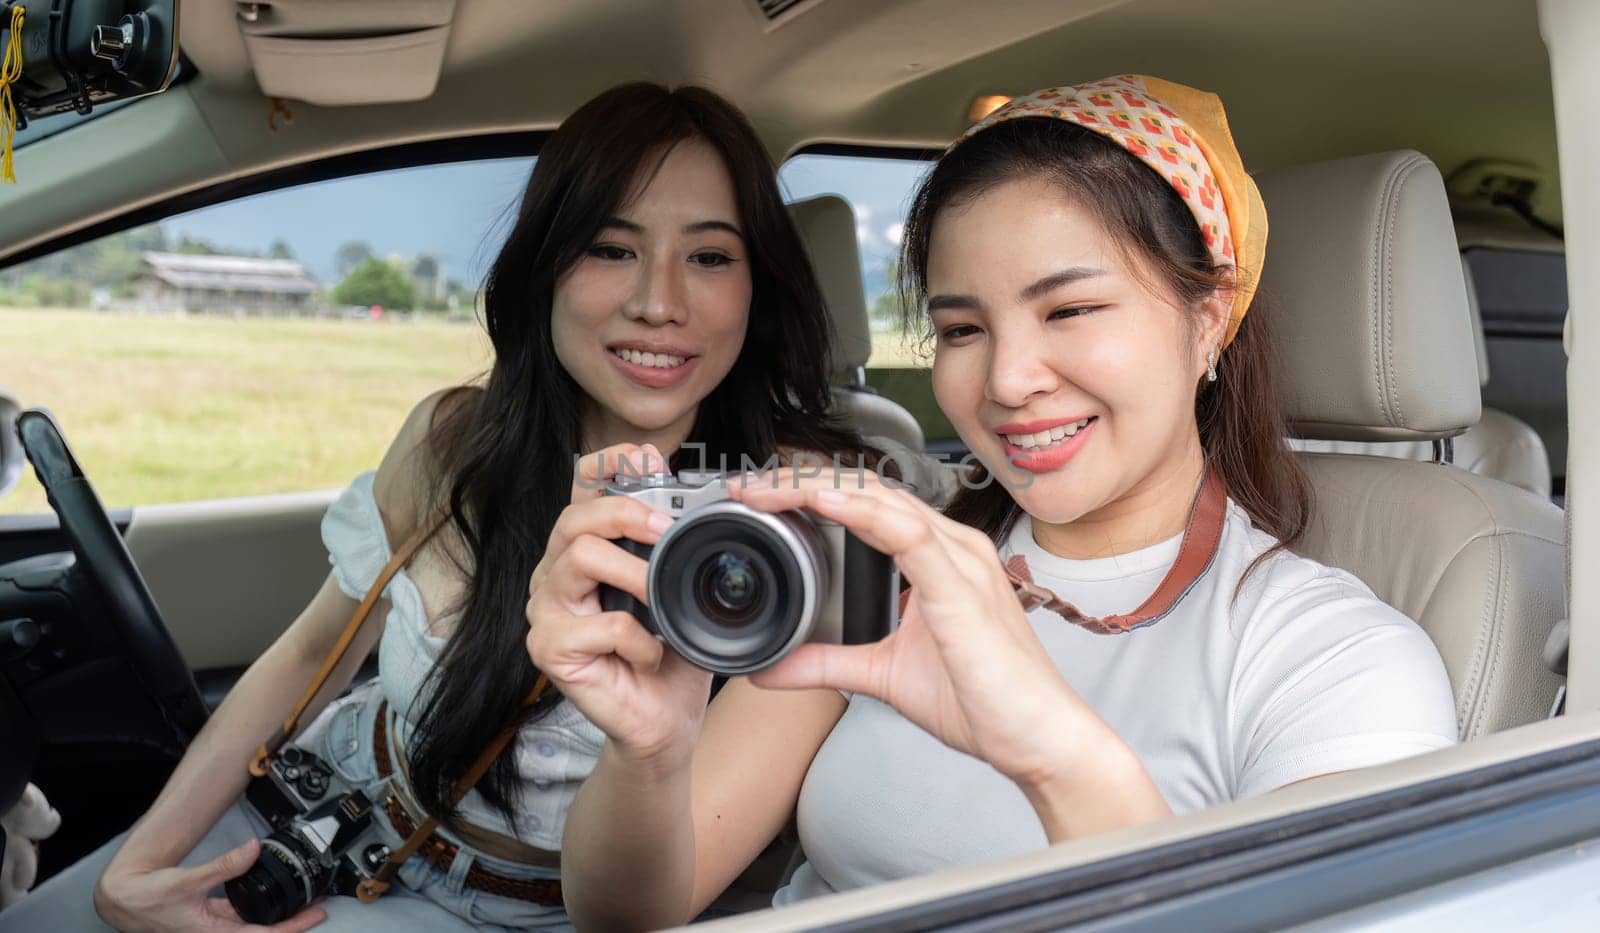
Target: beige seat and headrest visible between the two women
[[828, 226]]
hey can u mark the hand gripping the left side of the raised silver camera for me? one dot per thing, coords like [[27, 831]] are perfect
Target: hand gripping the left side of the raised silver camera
[[641, 694]]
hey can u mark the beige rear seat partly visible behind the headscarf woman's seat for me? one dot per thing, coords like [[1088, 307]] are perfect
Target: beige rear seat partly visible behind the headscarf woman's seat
[[1500, 446]]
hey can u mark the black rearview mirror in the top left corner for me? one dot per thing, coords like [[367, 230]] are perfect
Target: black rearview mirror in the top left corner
[[84, 54]]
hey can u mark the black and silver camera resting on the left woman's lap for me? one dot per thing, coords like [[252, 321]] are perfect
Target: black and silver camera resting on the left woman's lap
[[324, 839]]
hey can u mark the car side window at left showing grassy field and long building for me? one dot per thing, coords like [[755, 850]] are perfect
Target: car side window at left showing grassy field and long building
[[268, 345]]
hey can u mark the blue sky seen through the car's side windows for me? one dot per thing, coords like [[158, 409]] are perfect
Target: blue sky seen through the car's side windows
[[462, 212]]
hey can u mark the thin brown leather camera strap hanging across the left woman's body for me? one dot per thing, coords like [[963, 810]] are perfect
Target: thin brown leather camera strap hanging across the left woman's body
[[374, 887]]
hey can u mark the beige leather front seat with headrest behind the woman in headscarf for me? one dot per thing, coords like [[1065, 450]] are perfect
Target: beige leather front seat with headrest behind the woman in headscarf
[[1372, 321]]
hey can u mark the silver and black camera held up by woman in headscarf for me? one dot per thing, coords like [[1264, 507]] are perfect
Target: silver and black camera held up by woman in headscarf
[[734, 590]]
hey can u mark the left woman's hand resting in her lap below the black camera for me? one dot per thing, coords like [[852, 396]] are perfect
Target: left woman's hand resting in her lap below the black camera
[[180, 899]]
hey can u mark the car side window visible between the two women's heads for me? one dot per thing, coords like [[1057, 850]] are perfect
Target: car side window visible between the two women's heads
[[879, 188]]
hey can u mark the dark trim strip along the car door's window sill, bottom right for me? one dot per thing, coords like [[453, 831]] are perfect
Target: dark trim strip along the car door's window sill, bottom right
[[1302, 867]]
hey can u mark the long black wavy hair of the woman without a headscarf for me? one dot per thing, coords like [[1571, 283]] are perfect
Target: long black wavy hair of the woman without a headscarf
[[505, 452]]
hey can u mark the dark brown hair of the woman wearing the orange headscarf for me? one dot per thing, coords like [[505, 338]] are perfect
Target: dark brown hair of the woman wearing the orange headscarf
[[1241, 418]]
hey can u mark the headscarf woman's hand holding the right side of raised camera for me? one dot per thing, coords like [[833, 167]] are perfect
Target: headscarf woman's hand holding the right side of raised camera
[[964, 663]]
